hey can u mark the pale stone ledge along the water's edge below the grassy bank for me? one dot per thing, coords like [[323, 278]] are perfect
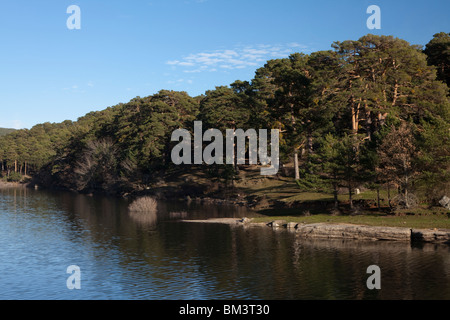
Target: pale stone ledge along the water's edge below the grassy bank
[[342, 230]]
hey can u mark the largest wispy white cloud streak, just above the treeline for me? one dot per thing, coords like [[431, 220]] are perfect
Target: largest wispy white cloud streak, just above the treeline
[[239, 57]]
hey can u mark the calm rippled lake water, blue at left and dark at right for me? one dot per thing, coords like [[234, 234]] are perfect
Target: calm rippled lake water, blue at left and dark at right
[[123, 256]]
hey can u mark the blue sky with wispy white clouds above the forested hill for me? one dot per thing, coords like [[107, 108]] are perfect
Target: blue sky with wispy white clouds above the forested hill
[[135, 48]]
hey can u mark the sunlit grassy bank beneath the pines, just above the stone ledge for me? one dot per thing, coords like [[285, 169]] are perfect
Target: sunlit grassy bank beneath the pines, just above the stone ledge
[[285, 191]]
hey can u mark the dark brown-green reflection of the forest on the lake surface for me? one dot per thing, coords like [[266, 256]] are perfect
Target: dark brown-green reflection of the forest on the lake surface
[[257, 263]]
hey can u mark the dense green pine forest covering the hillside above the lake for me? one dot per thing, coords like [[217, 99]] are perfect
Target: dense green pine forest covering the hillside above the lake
[[372, 113]]
